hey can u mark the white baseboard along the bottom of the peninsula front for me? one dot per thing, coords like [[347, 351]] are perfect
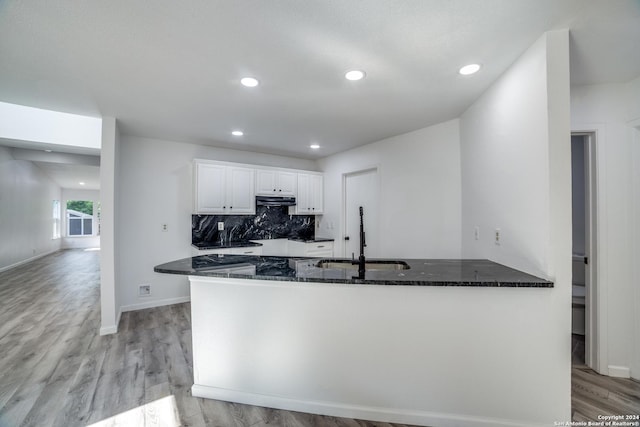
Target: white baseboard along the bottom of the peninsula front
[[389, 415]]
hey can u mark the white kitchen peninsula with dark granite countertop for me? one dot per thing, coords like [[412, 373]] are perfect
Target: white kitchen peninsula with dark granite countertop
[[286, 333]]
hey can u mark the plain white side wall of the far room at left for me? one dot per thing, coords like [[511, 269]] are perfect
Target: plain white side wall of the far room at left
[[26, 214]]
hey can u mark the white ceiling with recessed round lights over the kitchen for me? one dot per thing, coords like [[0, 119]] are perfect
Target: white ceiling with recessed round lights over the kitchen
[[171, 70]]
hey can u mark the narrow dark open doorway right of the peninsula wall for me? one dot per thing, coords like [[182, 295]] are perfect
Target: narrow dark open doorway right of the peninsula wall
[[584, 325]]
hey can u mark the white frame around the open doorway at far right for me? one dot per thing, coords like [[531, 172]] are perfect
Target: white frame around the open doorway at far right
[[595, 299]]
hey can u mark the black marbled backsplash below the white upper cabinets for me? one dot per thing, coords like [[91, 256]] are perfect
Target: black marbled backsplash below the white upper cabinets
[[269, 222]]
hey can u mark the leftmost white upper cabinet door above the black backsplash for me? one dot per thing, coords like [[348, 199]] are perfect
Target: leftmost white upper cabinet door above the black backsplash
[[210, 188]]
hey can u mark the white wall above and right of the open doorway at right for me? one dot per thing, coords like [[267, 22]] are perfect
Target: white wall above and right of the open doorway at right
[[608, 110]]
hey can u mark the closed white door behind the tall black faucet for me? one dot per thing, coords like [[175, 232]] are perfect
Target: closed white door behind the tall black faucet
[[361, 189]]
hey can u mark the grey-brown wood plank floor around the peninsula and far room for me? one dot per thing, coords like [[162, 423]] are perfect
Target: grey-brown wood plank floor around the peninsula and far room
[[55, 370]]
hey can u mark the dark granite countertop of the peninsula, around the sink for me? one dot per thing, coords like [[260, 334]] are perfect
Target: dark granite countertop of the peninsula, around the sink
[[422, 272]]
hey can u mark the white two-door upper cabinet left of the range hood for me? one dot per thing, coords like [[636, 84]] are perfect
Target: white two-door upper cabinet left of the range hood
[[224, 189]]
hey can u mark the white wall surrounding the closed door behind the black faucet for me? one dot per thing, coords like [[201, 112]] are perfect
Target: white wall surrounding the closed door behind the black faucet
[[419, 174]]
